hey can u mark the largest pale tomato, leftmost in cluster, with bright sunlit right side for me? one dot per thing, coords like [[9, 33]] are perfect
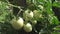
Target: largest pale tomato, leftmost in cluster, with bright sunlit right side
[[17, 24]]
